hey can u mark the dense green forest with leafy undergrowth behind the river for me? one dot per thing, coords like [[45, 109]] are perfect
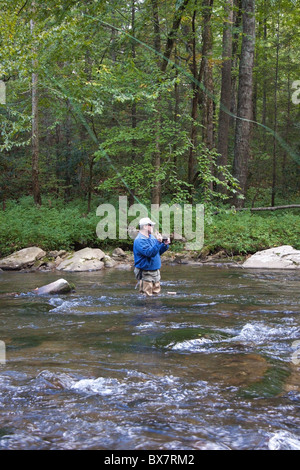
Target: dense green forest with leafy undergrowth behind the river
[[161, 100]]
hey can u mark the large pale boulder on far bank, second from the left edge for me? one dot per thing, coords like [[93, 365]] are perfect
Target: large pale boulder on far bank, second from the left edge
[[87, 259]]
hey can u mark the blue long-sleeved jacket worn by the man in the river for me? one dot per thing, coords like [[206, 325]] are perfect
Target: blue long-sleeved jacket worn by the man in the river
[[147, 252]]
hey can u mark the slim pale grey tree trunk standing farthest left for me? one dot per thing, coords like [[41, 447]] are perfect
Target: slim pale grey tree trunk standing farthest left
[[35, 129]]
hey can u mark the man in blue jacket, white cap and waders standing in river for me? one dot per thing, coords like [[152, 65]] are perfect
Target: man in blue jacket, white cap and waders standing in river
[[147, 249]]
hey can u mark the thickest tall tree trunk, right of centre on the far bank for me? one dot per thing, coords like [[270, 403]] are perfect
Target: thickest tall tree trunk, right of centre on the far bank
[[245, 90]]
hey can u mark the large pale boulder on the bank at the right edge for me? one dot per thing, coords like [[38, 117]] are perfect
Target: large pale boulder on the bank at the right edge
[[281, 257]]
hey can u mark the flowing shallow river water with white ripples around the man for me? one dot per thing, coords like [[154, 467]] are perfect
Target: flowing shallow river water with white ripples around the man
[[214, 366]]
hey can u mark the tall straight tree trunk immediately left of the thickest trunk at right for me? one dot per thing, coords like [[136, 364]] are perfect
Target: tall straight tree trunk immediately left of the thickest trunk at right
[[224, 118]]
